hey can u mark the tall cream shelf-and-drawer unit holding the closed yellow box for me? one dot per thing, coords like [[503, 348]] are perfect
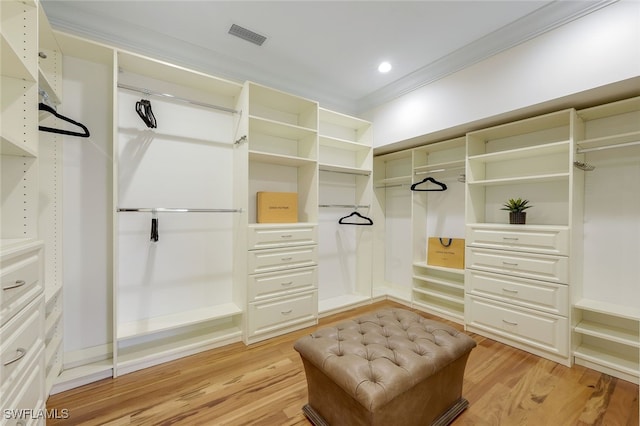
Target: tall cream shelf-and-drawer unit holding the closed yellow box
[[277, 151]]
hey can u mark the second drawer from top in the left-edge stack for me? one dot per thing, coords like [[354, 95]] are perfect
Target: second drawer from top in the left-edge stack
[[20, 339]]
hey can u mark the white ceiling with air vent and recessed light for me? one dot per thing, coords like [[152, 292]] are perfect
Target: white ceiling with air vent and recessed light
[[325, 50]]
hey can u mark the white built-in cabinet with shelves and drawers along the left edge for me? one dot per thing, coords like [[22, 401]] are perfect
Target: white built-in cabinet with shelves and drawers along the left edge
[[29, 316]]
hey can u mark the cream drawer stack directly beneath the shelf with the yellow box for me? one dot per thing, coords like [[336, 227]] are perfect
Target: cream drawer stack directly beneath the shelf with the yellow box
[[282, 279]]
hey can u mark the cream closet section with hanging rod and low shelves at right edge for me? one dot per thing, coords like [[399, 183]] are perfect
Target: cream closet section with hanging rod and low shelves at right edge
[[606, 315]]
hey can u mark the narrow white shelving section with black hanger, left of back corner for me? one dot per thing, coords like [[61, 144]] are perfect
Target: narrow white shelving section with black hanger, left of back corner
[[346, 166]]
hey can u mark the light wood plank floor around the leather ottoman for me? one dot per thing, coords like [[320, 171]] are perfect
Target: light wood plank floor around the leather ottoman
[[264, 384]]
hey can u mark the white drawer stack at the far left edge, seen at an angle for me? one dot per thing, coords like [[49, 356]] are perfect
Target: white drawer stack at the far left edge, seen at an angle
[[22, 358]]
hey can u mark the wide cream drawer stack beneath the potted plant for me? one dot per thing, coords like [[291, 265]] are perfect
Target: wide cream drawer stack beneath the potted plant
[[516, 286]]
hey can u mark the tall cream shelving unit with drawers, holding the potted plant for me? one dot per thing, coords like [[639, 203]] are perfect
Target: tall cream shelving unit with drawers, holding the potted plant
[[518, 276]]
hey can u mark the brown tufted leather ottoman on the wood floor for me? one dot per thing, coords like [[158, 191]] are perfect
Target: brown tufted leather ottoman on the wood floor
[[391, 367]]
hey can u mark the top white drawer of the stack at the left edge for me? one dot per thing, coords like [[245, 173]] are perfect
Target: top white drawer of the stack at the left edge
[[20, 281]]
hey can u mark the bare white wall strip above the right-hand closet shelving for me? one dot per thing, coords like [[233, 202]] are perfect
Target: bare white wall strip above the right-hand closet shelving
[[599, 49]]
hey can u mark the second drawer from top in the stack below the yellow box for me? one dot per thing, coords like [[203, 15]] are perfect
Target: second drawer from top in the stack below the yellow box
[[278, 259]]
